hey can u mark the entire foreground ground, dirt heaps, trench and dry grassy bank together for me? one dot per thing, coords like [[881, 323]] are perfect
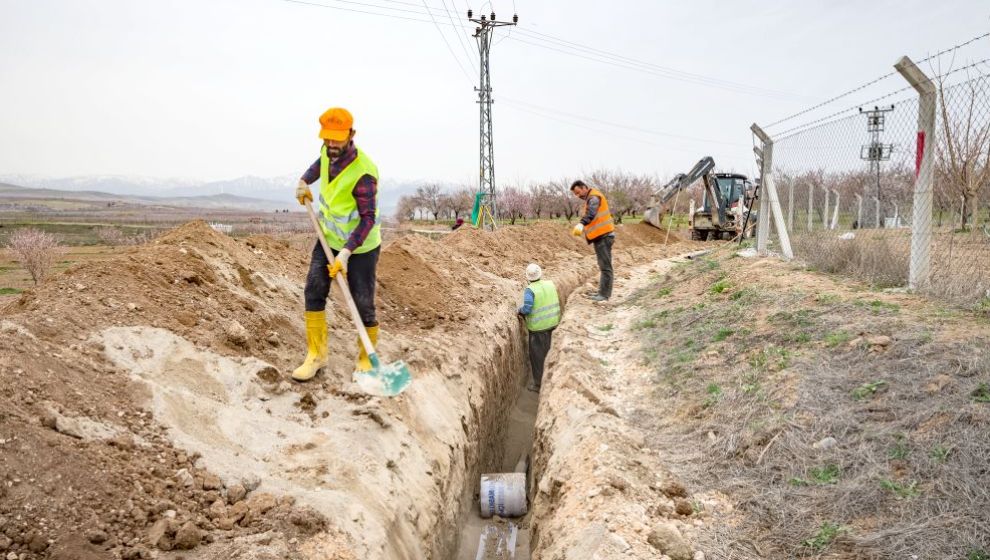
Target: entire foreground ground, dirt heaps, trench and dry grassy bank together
[[718, 405]]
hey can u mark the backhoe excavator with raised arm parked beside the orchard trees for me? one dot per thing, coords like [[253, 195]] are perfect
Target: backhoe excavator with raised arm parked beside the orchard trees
[[726, 204]]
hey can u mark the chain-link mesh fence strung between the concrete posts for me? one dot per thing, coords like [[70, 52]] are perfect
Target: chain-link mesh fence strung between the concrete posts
[[847, 183]]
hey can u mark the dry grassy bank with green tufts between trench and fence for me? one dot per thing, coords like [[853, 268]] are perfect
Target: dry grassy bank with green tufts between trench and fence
[[907, 474]]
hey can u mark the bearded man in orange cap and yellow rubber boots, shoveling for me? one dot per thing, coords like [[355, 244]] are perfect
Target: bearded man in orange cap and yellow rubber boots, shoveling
[[348, 216]]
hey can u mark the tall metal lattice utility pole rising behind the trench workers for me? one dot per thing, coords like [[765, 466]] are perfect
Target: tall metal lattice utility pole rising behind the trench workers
[[486, 176]]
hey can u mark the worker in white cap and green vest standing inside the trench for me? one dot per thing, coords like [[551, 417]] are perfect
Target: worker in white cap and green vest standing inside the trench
[[541, 309]]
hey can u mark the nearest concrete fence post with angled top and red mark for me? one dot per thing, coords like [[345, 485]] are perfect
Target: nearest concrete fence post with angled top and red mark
[[921, 219]]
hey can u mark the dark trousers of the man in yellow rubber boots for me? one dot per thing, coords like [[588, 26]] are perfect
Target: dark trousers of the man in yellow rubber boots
[[360, 277]]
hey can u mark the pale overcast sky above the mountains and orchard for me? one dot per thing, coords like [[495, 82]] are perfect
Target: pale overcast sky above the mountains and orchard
[[214, 89]]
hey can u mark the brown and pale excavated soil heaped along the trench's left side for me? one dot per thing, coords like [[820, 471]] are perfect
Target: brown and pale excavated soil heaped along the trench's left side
[[144, 407]]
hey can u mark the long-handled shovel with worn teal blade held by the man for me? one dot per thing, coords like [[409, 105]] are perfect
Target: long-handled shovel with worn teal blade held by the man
[[386, 380]]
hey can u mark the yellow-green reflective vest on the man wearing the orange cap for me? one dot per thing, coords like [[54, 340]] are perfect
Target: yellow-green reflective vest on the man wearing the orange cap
[[338, 209]]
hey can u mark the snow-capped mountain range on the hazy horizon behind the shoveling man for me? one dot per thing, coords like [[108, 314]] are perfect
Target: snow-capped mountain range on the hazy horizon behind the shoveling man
[[273, 189]]
